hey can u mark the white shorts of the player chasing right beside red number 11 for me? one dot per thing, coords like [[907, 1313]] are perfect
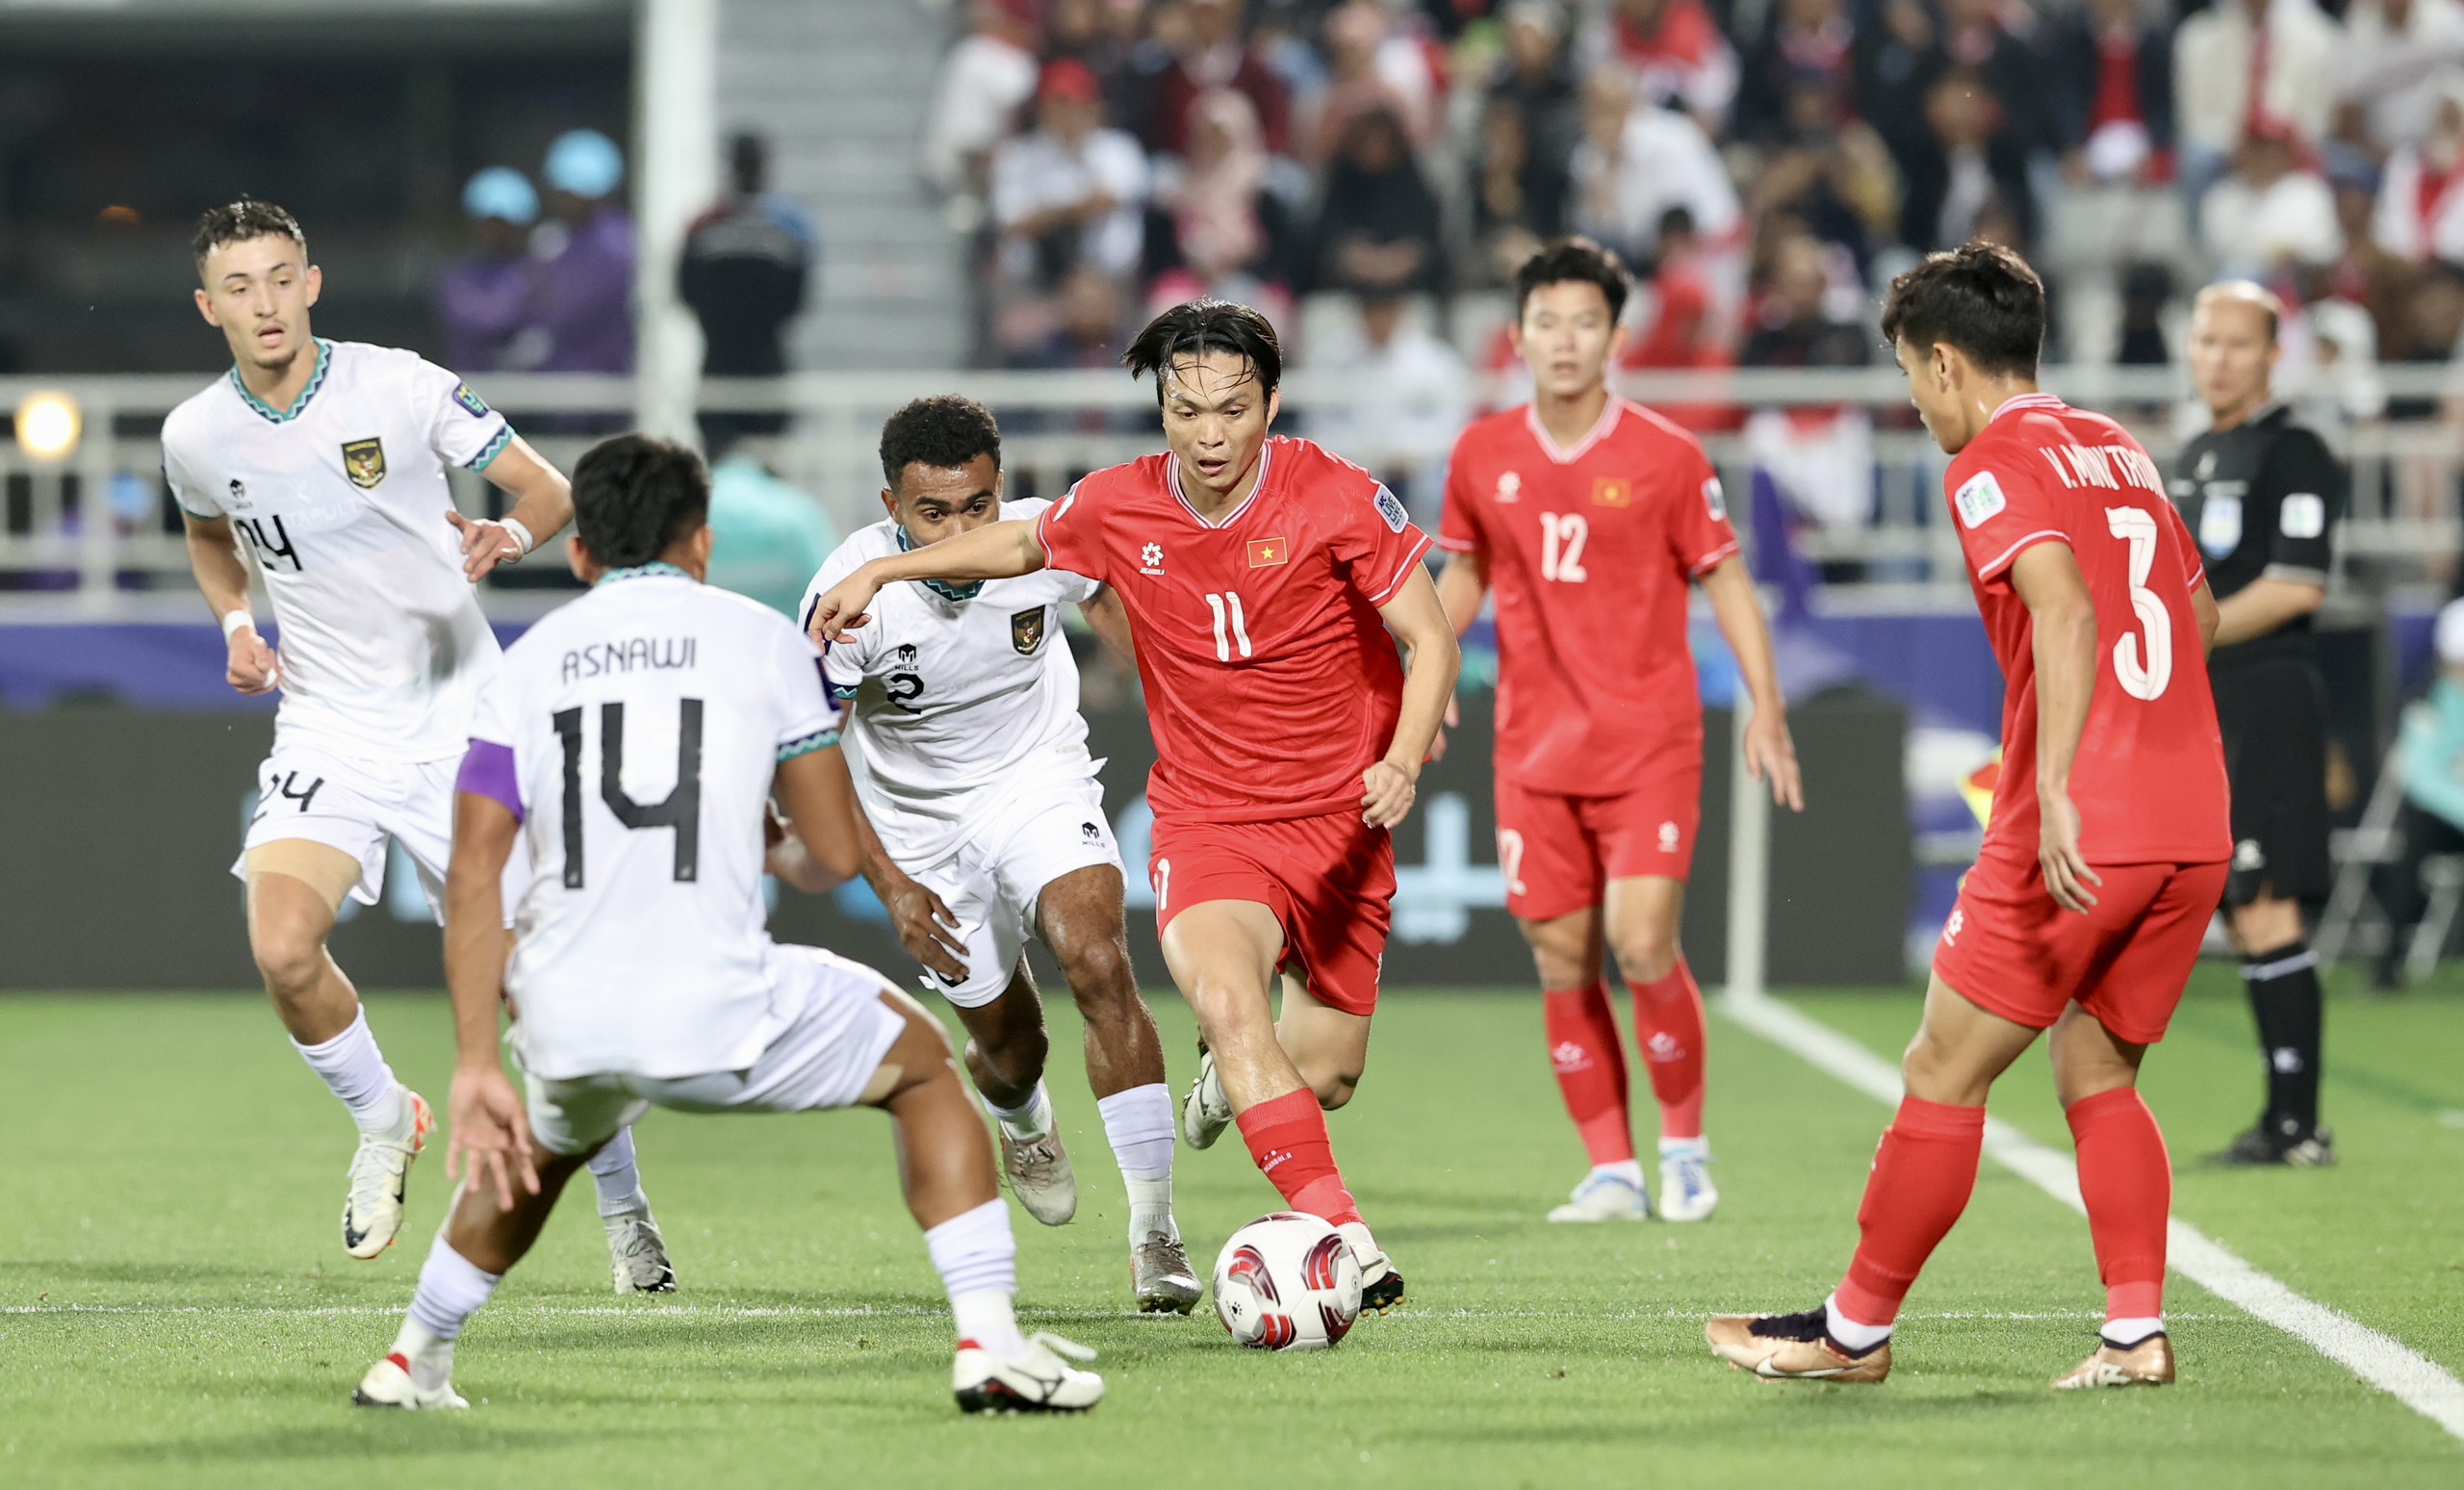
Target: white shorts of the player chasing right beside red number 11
[[992, 883]]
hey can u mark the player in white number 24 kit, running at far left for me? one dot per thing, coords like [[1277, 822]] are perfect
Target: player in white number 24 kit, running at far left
[[326, 462]]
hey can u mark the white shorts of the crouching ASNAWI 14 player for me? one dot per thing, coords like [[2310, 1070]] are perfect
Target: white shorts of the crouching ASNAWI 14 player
[[824, 1058]]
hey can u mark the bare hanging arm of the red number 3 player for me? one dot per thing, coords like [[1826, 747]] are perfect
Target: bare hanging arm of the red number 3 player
[[2066, 679]]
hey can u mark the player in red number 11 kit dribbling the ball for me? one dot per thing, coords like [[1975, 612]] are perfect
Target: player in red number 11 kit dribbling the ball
[[1268, 587]]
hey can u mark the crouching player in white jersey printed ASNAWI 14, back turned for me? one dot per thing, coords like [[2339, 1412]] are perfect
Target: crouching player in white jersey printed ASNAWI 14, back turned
[[630, 752]]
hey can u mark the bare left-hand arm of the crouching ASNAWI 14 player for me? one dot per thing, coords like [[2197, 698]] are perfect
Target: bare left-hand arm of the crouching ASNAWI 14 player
[[484, 1117]]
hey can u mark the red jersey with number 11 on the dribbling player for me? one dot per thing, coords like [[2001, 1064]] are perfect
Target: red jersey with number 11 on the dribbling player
[[1270, 679]]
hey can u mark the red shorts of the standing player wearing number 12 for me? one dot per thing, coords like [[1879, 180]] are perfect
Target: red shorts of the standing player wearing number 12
[[1563, 851]]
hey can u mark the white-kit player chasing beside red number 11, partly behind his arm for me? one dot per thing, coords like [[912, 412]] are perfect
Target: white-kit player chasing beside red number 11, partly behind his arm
[[987, 821]]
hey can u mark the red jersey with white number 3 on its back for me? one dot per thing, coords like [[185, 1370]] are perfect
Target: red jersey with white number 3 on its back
[[2150, 779]]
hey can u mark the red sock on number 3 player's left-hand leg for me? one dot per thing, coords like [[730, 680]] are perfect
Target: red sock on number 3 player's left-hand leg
[[1921, 1181]]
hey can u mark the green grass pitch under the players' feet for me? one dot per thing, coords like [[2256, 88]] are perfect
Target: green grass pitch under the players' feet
[[181, 1309]]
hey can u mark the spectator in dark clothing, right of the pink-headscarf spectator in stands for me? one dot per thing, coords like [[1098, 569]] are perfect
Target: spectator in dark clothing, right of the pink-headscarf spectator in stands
[[1379, 225]]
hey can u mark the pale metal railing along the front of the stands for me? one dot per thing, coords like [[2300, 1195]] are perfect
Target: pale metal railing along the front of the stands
[[97, 528]]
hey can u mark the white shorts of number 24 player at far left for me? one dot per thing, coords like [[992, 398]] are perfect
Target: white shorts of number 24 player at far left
[[314, 792]]
